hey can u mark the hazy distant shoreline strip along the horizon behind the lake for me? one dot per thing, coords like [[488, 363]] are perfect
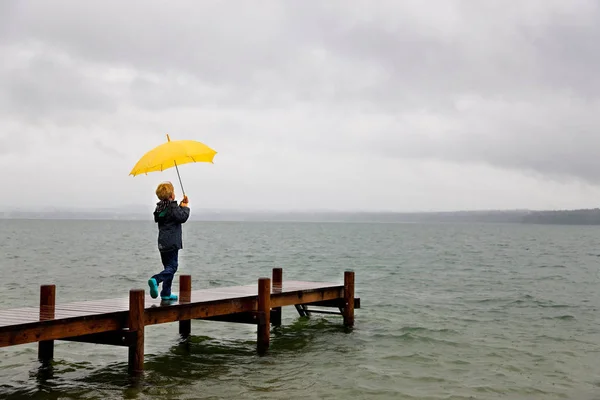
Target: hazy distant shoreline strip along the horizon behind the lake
[[555, 217]]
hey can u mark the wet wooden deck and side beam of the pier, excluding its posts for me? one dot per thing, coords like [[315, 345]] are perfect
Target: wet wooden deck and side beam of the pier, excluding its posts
[[23, 325]]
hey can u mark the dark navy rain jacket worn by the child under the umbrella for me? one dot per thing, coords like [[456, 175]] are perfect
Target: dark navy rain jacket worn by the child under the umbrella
[[169, 217]]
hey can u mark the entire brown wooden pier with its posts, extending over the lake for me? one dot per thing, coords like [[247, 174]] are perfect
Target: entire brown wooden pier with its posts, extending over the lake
[[121, 322]]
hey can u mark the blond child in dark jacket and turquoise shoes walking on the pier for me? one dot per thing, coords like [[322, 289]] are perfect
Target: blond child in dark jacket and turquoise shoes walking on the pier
[[169, 217]]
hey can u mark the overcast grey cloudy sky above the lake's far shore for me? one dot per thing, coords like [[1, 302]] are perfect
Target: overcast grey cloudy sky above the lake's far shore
[[349, 105]]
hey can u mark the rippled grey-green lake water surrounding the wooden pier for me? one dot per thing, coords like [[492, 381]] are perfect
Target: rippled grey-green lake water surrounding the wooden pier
[[448, 311]]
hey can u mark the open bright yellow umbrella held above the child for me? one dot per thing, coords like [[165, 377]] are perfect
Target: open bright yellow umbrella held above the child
[[172, 154]]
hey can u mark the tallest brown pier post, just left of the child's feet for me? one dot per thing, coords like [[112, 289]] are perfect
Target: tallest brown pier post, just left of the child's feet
[[135, 324]]
